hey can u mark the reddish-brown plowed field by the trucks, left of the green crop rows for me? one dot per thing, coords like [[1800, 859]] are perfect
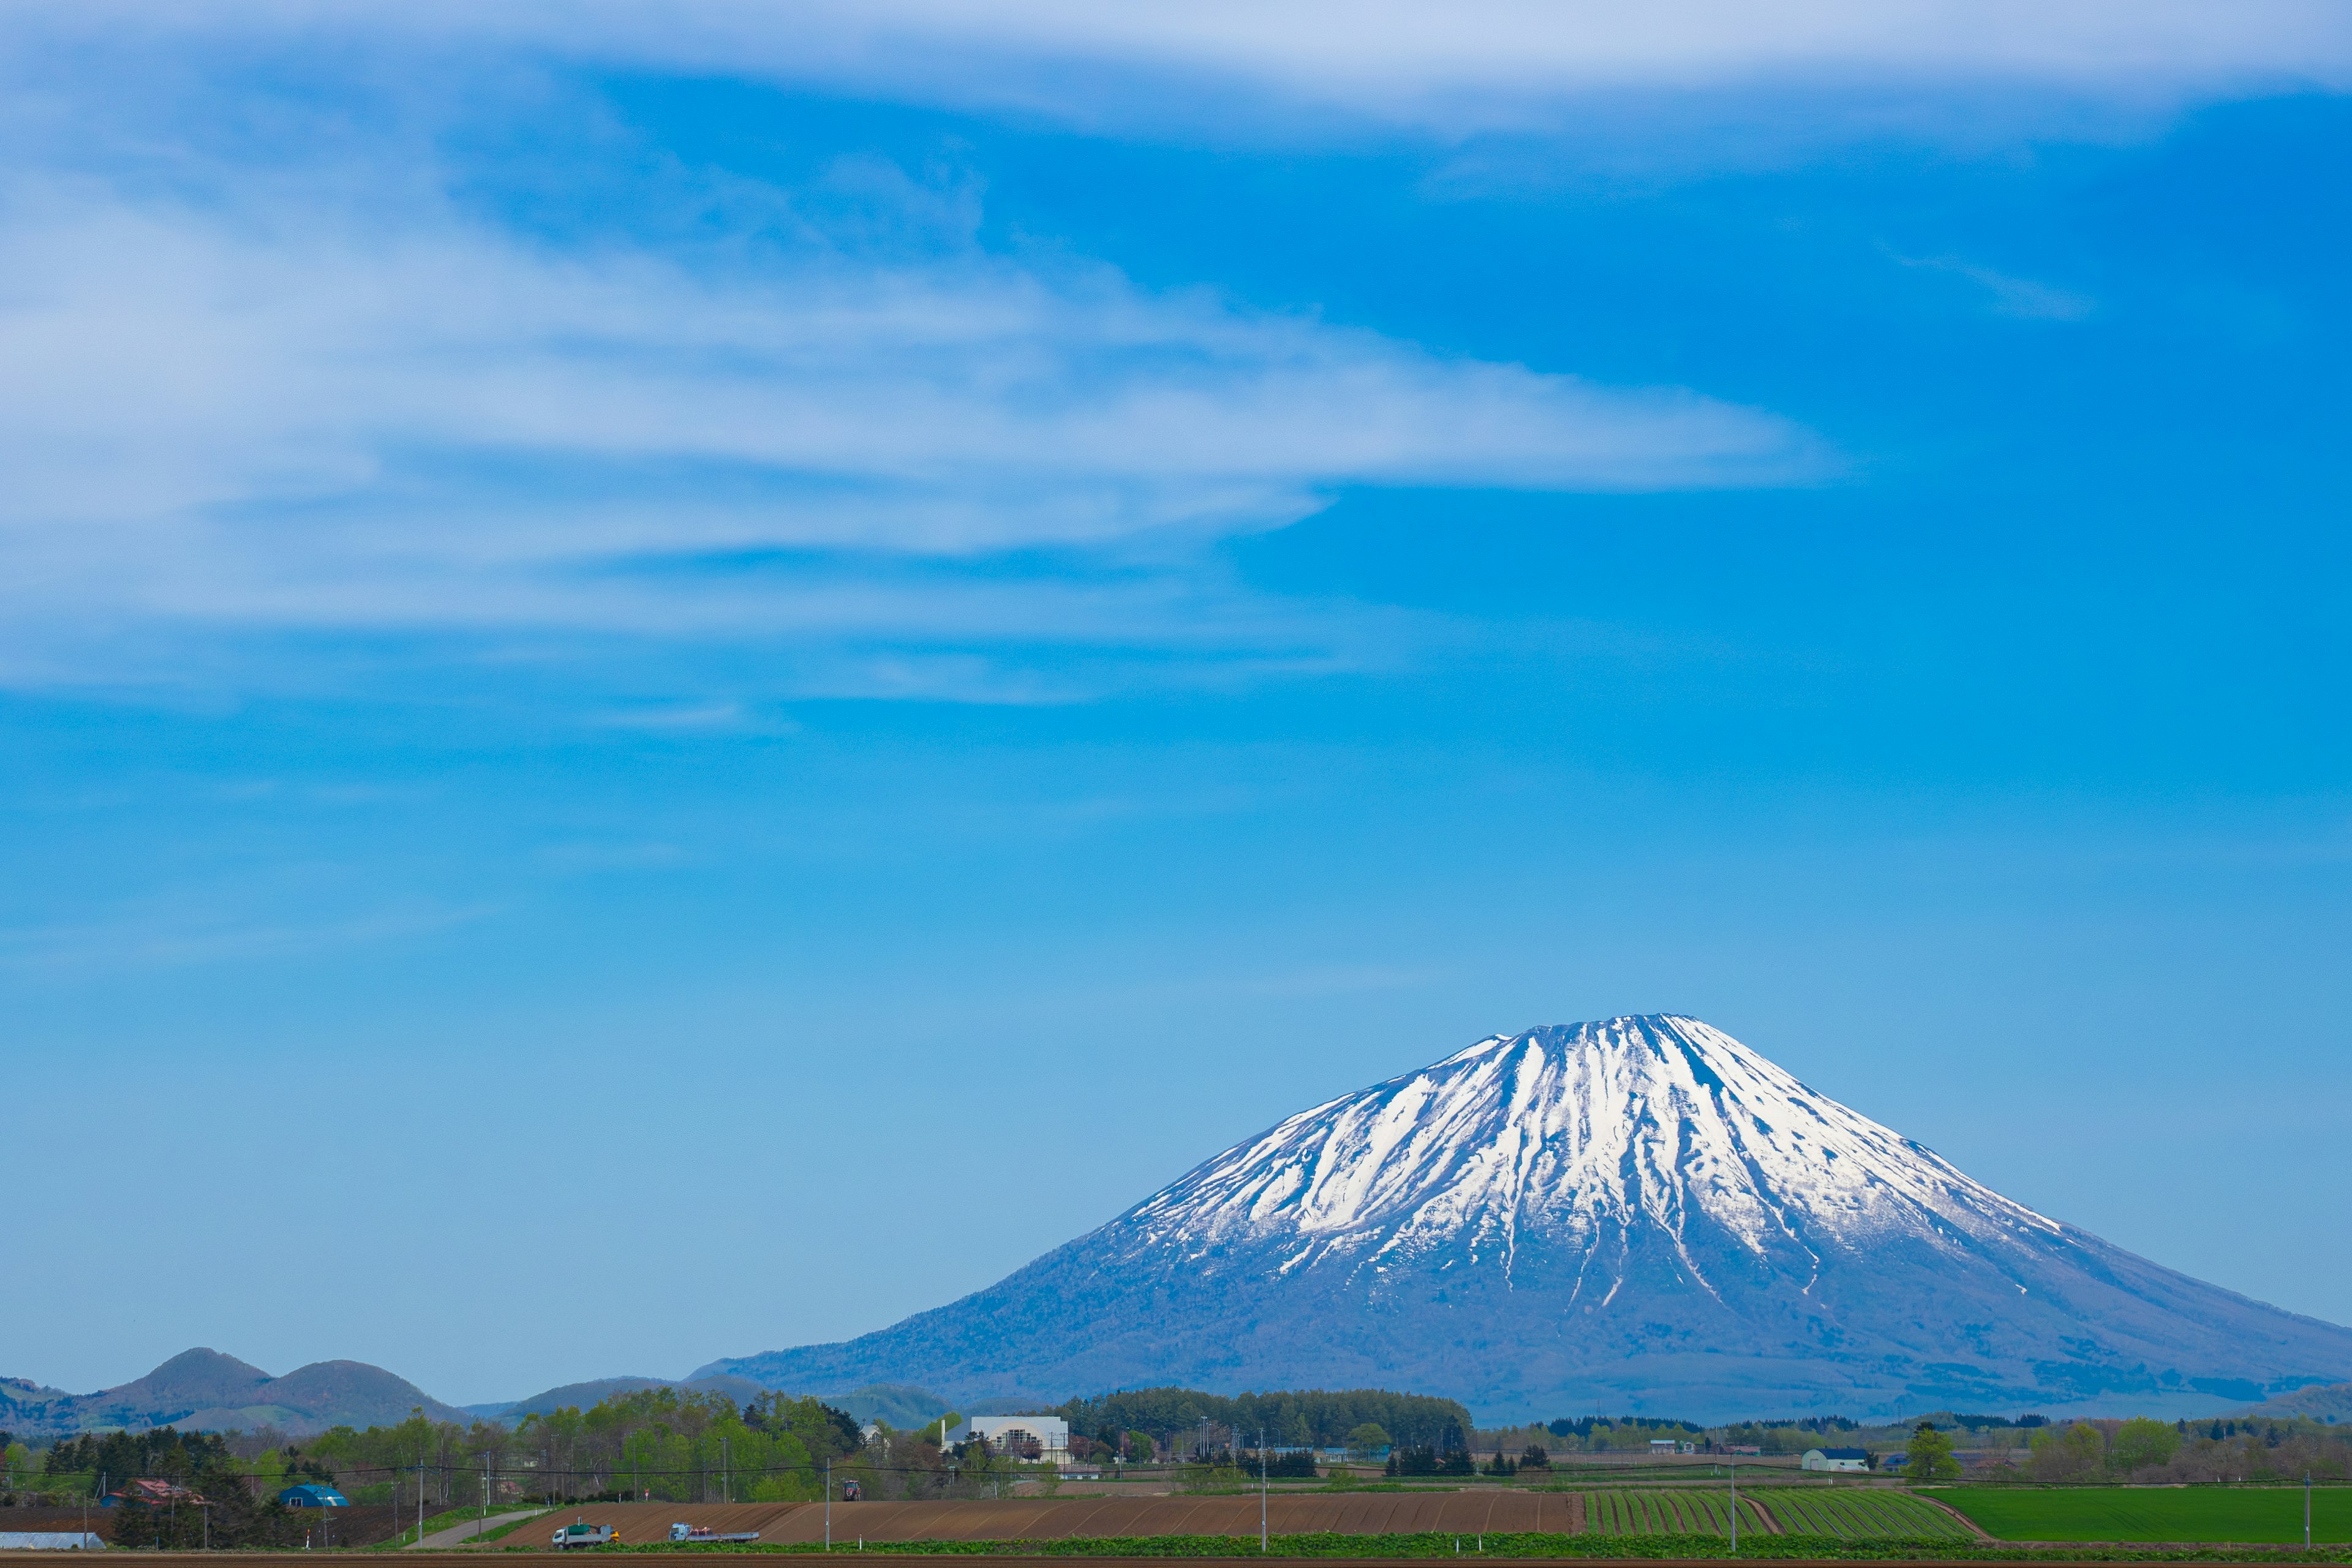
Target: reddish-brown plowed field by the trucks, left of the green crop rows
[[1067, 1517]]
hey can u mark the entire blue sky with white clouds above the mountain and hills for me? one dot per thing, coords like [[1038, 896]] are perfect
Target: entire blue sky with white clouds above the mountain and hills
[[704, 634]]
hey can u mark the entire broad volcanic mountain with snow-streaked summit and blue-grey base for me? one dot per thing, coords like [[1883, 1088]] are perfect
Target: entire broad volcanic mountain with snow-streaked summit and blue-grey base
[[1629, 1214]]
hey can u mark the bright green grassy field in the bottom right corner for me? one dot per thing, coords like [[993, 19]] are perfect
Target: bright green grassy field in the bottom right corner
[[2250, 1515]]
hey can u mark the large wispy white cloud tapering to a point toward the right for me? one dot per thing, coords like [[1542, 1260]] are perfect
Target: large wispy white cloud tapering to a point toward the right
[[316, 417]]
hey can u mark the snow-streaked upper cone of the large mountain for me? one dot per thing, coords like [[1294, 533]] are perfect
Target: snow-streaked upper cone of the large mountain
[[1577, 1132]]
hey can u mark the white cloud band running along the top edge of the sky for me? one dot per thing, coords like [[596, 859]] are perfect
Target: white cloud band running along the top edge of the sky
[[1462, 67]]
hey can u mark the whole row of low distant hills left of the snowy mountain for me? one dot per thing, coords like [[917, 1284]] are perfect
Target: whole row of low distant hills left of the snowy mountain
[[201, 1391]]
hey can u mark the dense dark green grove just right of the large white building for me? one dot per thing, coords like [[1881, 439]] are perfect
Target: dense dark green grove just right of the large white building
[[1304, 1419]]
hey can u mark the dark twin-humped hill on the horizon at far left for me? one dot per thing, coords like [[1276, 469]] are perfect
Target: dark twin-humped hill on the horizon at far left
[[203, 1391]]
